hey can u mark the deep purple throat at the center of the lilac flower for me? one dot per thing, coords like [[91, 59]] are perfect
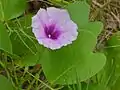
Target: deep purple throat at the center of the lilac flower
[[52, 32]]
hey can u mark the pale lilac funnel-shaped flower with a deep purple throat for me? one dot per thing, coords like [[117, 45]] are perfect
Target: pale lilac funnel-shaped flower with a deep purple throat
[[53, 28]]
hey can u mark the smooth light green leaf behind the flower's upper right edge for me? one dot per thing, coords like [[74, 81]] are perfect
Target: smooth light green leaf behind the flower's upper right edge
[[79, 12]]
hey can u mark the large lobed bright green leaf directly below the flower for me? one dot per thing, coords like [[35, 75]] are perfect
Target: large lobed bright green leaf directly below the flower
[[63, 65]]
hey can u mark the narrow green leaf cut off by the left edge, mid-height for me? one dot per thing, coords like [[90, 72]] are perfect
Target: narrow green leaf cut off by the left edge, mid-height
[[5, 43]]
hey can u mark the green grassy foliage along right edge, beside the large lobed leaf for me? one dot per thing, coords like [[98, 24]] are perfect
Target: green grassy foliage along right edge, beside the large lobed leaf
[[109, 76]]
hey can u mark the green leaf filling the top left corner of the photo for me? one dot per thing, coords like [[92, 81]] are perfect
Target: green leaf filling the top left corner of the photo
[[11, 9]]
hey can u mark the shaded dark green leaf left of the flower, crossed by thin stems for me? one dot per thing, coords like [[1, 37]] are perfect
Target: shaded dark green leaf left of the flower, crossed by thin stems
[[29, 50]]
